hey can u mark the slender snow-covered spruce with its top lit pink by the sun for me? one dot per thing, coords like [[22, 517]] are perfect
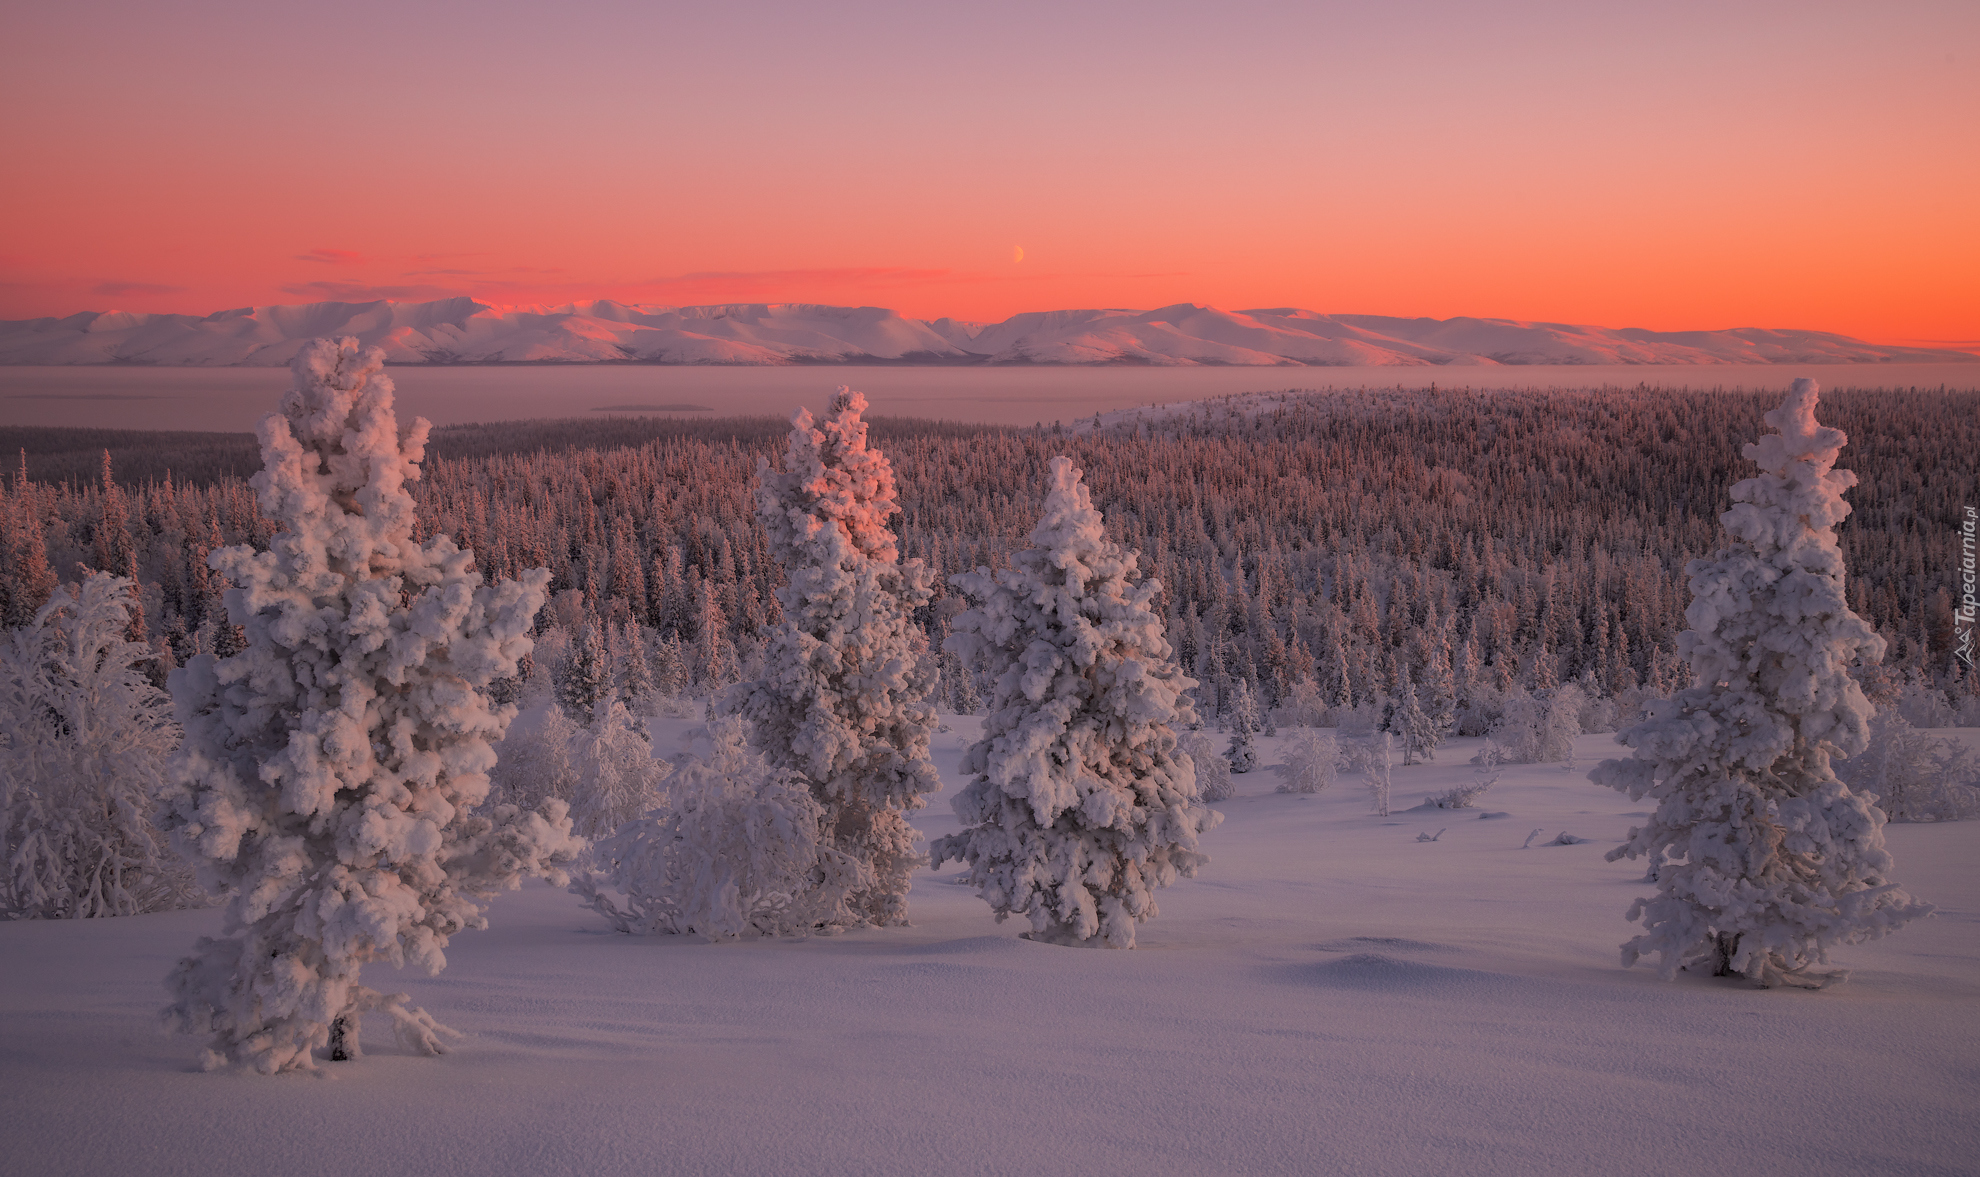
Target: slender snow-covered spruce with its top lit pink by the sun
[[842, 700]]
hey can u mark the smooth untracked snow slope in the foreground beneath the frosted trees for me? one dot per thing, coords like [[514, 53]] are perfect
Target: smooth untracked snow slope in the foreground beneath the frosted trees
[[1332, 996]]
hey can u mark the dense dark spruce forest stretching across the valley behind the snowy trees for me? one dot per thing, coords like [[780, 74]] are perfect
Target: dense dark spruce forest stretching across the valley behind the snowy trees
[[1312, 546]]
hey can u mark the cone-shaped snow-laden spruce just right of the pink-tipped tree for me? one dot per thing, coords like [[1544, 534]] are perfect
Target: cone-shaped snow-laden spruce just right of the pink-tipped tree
[[1080, 803]]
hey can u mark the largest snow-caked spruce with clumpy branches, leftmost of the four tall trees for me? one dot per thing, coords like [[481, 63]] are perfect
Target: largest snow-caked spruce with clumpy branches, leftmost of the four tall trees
[[334, 772]]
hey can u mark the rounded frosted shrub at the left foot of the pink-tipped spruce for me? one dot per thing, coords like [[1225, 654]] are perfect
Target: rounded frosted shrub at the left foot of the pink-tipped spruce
[[738, 851]]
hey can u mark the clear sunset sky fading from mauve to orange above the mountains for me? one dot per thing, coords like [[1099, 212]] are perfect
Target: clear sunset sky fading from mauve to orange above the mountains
[[1700, 167]]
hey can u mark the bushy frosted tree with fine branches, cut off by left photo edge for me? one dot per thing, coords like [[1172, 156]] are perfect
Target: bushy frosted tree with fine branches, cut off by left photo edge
[[84, 740]]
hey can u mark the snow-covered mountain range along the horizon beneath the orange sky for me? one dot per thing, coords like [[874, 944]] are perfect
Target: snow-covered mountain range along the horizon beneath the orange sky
[[793, 334]]
